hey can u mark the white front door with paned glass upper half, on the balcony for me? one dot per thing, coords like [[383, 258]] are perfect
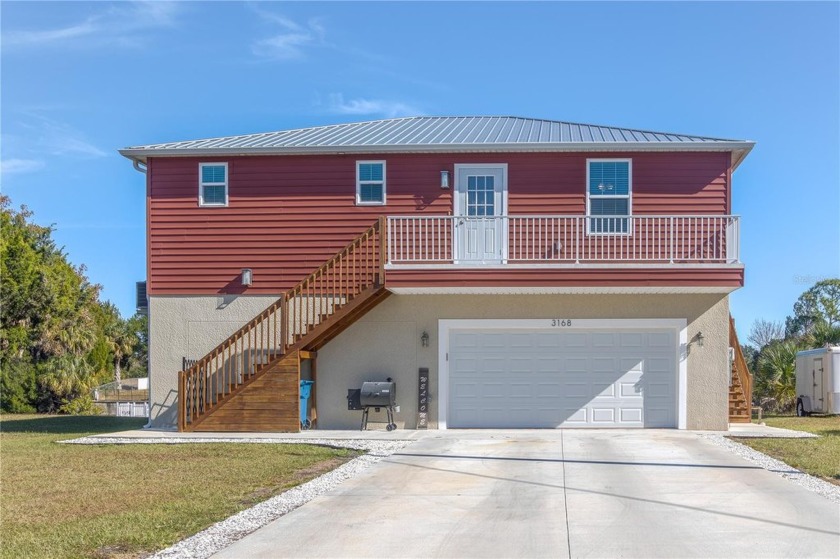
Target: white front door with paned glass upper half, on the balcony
[[480, 199]]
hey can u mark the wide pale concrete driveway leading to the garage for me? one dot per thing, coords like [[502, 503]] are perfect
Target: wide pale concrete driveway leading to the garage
[[580, 493]]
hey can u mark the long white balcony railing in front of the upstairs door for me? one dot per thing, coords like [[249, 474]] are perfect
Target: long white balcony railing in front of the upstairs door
[[547, 239]]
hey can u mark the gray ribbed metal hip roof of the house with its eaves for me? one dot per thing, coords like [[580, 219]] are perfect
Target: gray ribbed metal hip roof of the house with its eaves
[[439, 134]]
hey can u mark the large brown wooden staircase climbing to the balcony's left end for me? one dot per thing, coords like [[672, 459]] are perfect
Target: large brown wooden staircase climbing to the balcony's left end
[[250, 382]]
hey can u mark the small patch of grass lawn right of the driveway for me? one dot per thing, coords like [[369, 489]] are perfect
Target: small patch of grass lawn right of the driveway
[[819, 457]]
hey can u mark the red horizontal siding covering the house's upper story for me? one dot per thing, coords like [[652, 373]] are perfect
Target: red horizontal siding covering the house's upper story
[[286, 215]]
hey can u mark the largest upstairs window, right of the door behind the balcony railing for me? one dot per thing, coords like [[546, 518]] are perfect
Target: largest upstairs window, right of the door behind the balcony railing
[[608, 195]]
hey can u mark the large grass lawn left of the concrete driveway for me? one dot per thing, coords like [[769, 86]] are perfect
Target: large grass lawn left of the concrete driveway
[[128, 500]]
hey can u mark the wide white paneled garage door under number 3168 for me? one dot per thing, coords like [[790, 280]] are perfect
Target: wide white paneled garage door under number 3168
[[548, 378]]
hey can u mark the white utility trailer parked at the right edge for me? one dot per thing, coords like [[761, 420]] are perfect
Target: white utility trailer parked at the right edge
[[818, 381]]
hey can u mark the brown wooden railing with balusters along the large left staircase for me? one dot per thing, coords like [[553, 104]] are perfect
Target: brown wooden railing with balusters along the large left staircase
[[301, 315]]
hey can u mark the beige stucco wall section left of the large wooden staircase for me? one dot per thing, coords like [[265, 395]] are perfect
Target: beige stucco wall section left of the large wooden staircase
[[189, 327]]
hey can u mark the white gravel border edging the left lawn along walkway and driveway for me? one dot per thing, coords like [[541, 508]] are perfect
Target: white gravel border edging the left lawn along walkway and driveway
[[222, 534]]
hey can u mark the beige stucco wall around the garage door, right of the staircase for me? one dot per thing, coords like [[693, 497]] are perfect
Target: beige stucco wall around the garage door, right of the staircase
[[386, 343]]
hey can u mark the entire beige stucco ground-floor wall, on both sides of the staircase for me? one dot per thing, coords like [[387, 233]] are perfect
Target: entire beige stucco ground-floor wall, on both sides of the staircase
[[386, 343]]
